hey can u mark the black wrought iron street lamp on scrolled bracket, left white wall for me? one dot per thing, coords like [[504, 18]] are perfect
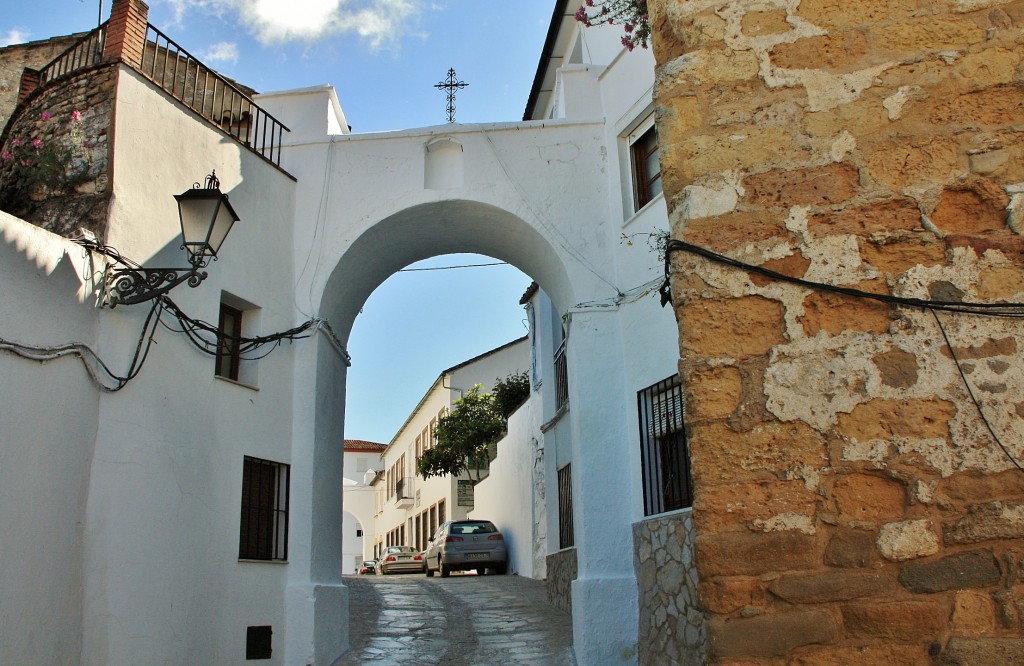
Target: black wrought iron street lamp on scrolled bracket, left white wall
[[206, 218]]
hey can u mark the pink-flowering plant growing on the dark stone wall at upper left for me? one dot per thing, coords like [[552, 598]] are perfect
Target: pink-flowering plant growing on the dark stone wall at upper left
[[47, 160]]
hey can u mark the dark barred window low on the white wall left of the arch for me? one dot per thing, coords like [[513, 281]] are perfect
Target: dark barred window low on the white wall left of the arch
[[265, 511]]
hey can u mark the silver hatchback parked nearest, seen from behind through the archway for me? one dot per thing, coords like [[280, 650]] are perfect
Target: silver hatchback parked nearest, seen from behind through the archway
[[464, 546]]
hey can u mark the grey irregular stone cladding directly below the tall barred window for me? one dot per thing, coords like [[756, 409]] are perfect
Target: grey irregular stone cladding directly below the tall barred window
[[672, 622]]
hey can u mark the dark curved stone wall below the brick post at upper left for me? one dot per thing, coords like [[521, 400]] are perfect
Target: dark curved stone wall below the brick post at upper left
[[86, 203]]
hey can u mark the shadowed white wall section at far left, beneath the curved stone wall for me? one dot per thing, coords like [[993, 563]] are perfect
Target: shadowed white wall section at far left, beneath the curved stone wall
[[49, 421]]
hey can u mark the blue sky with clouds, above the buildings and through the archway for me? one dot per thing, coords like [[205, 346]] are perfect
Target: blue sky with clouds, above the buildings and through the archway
[[385, 58]]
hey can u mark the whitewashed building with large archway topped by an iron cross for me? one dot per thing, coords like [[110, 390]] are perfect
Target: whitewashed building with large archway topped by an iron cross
[[129, 503]]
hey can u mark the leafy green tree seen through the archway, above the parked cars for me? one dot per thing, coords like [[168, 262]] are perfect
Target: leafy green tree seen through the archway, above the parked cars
[[466, 437]]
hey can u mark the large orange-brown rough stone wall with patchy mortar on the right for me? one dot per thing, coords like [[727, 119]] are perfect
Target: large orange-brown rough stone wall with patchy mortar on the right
[[851, 506]]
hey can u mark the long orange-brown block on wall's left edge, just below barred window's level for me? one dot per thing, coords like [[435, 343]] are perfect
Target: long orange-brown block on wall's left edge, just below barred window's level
[[748, 554]]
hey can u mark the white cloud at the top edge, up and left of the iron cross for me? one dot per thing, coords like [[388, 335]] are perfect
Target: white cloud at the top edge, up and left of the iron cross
[[379, 22]]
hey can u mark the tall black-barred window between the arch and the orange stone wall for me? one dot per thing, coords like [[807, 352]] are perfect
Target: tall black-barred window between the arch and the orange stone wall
[[665, 456]]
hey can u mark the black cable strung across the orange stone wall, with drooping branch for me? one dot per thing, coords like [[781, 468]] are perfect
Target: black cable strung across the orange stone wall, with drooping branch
[[1011, 311]]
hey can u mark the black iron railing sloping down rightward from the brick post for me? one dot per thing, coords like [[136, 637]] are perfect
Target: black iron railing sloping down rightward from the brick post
[[211, 96]]
